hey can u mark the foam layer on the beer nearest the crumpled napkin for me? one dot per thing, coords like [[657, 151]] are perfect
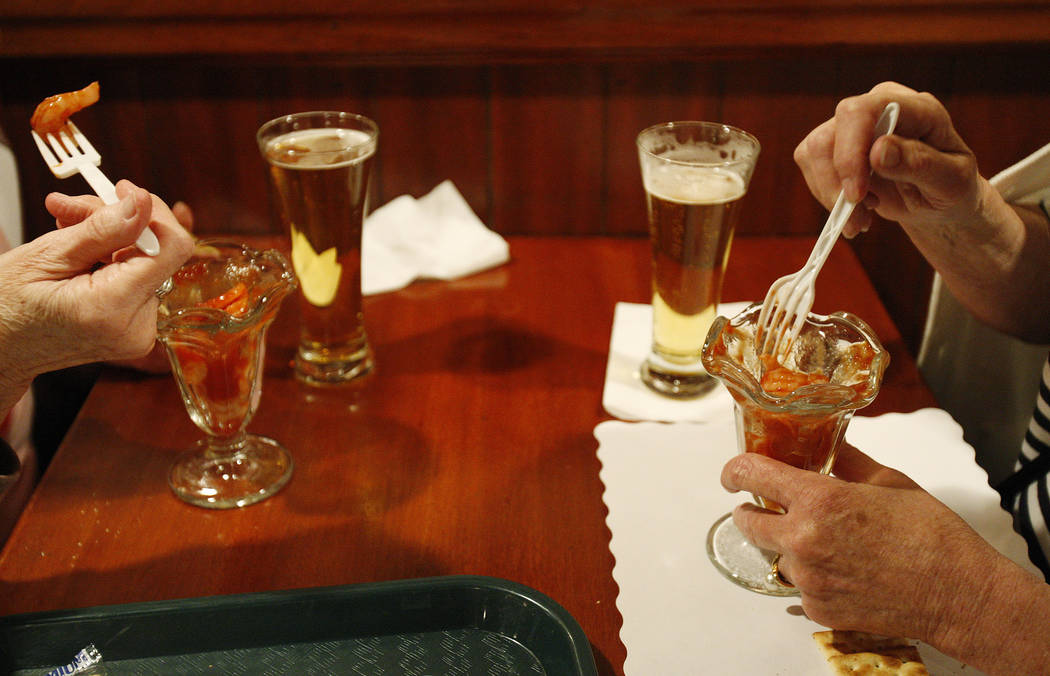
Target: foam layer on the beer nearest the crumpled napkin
[[329, 147]]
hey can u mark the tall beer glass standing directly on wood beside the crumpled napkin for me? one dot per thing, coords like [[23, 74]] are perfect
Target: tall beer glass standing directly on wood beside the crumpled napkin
[[321, 165]]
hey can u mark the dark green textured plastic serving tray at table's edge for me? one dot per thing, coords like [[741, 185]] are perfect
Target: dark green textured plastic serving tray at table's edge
[[457, 625]]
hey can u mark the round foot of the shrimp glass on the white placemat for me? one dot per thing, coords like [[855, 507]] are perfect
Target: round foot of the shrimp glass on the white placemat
[[743, 563]]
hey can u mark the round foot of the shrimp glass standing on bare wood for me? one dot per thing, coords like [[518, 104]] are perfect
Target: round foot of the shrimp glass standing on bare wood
[[218, 480]]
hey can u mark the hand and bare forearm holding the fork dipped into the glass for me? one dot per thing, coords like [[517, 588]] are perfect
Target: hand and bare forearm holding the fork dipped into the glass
[[925, 177]]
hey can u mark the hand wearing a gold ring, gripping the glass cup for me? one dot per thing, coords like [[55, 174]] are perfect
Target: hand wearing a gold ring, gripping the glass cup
[[869, 550]]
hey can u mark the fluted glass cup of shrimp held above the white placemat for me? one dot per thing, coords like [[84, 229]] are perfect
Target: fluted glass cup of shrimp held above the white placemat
[[795, 411]]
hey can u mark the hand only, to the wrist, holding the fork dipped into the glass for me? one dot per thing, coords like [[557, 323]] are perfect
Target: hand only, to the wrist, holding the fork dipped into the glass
[[925, 175]]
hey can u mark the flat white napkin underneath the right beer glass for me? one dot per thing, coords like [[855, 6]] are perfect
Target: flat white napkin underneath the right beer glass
[[626, 397]]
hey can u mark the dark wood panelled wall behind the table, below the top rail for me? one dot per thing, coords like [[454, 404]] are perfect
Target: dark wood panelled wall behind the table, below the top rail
[[544, 146]]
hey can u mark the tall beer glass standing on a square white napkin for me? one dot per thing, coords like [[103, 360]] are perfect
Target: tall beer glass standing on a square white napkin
[[695, 176]]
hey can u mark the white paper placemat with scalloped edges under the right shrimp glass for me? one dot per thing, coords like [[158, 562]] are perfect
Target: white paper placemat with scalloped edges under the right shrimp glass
[[663, 495]]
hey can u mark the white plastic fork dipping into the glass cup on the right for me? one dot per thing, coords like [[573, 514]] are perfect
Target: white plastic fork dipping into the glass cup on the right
[[790, 299]]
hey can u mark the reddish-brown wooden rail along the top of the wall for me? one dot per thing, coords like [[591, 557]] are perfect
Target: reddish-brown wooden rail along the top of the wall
[[438, 31]]
